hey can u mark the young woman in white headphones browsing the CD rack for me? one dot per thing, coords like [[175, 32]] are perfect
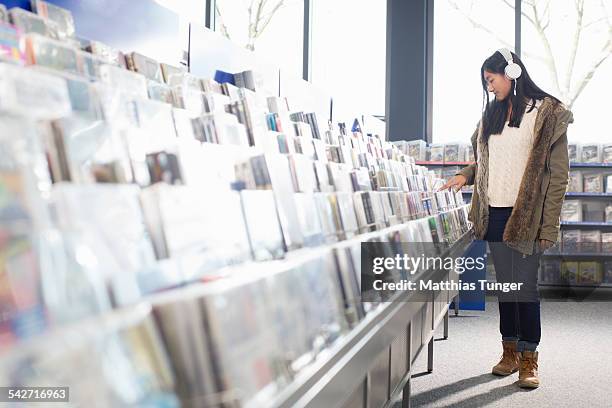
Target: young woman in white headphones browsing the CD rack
[[520, 177]]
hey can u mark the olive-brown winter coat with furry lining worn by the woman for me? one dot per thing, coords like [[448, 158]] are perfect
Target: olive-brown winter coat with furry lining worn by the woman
[[535, 214]]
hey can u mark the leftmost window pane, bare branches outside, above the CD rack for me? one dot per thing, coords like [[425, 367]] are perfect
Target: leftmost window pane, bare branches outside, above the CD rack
[[274, 29]]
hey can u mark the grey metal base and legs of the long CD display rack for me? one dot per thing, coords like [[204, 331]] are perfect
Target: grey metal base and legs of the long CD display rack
[[349, 365]]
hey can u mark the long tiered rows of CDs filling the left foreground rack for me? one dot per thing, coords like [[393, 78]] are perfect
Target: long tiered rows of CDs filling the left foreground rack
[[122, 179]]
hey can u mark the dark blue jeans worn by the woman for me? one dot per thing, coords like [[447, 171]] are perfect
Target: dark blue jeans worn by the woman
[[519, 312]]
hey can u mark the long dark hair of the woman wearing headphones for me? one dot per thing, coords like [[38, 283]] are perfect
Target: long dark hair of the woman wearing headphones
[[495, 112]]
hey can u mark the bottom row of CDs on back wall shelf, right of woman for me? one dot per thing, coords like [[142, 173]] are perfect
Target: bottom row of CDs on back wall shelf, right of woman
[[571, 272]]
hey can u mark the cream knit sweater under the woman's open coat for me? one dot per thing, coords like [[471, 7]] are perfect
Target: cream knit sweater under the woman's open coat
[[508, 154]]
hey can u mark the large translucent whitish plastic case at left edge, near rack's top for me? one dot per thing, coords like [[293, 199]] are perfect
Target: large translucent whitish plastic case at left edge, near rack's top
[[33, 94]]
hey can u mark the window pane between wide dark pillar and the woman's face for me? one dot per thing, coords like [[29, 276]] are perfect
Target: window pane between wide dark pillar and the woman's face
[[466, 32]]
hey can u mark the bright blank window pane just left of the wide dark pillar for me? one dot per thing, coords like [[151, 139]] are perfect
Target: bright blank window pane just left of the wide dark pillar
[[348, 54]]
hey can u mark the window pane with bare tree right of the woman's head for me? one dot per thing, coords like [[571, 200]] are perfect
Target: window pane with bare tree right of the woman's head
[[567, 48]]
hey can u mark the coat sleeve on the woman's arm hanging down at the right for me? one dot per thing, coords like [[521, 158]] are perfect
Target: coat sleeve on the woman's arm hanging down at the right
[[559, 176]]
